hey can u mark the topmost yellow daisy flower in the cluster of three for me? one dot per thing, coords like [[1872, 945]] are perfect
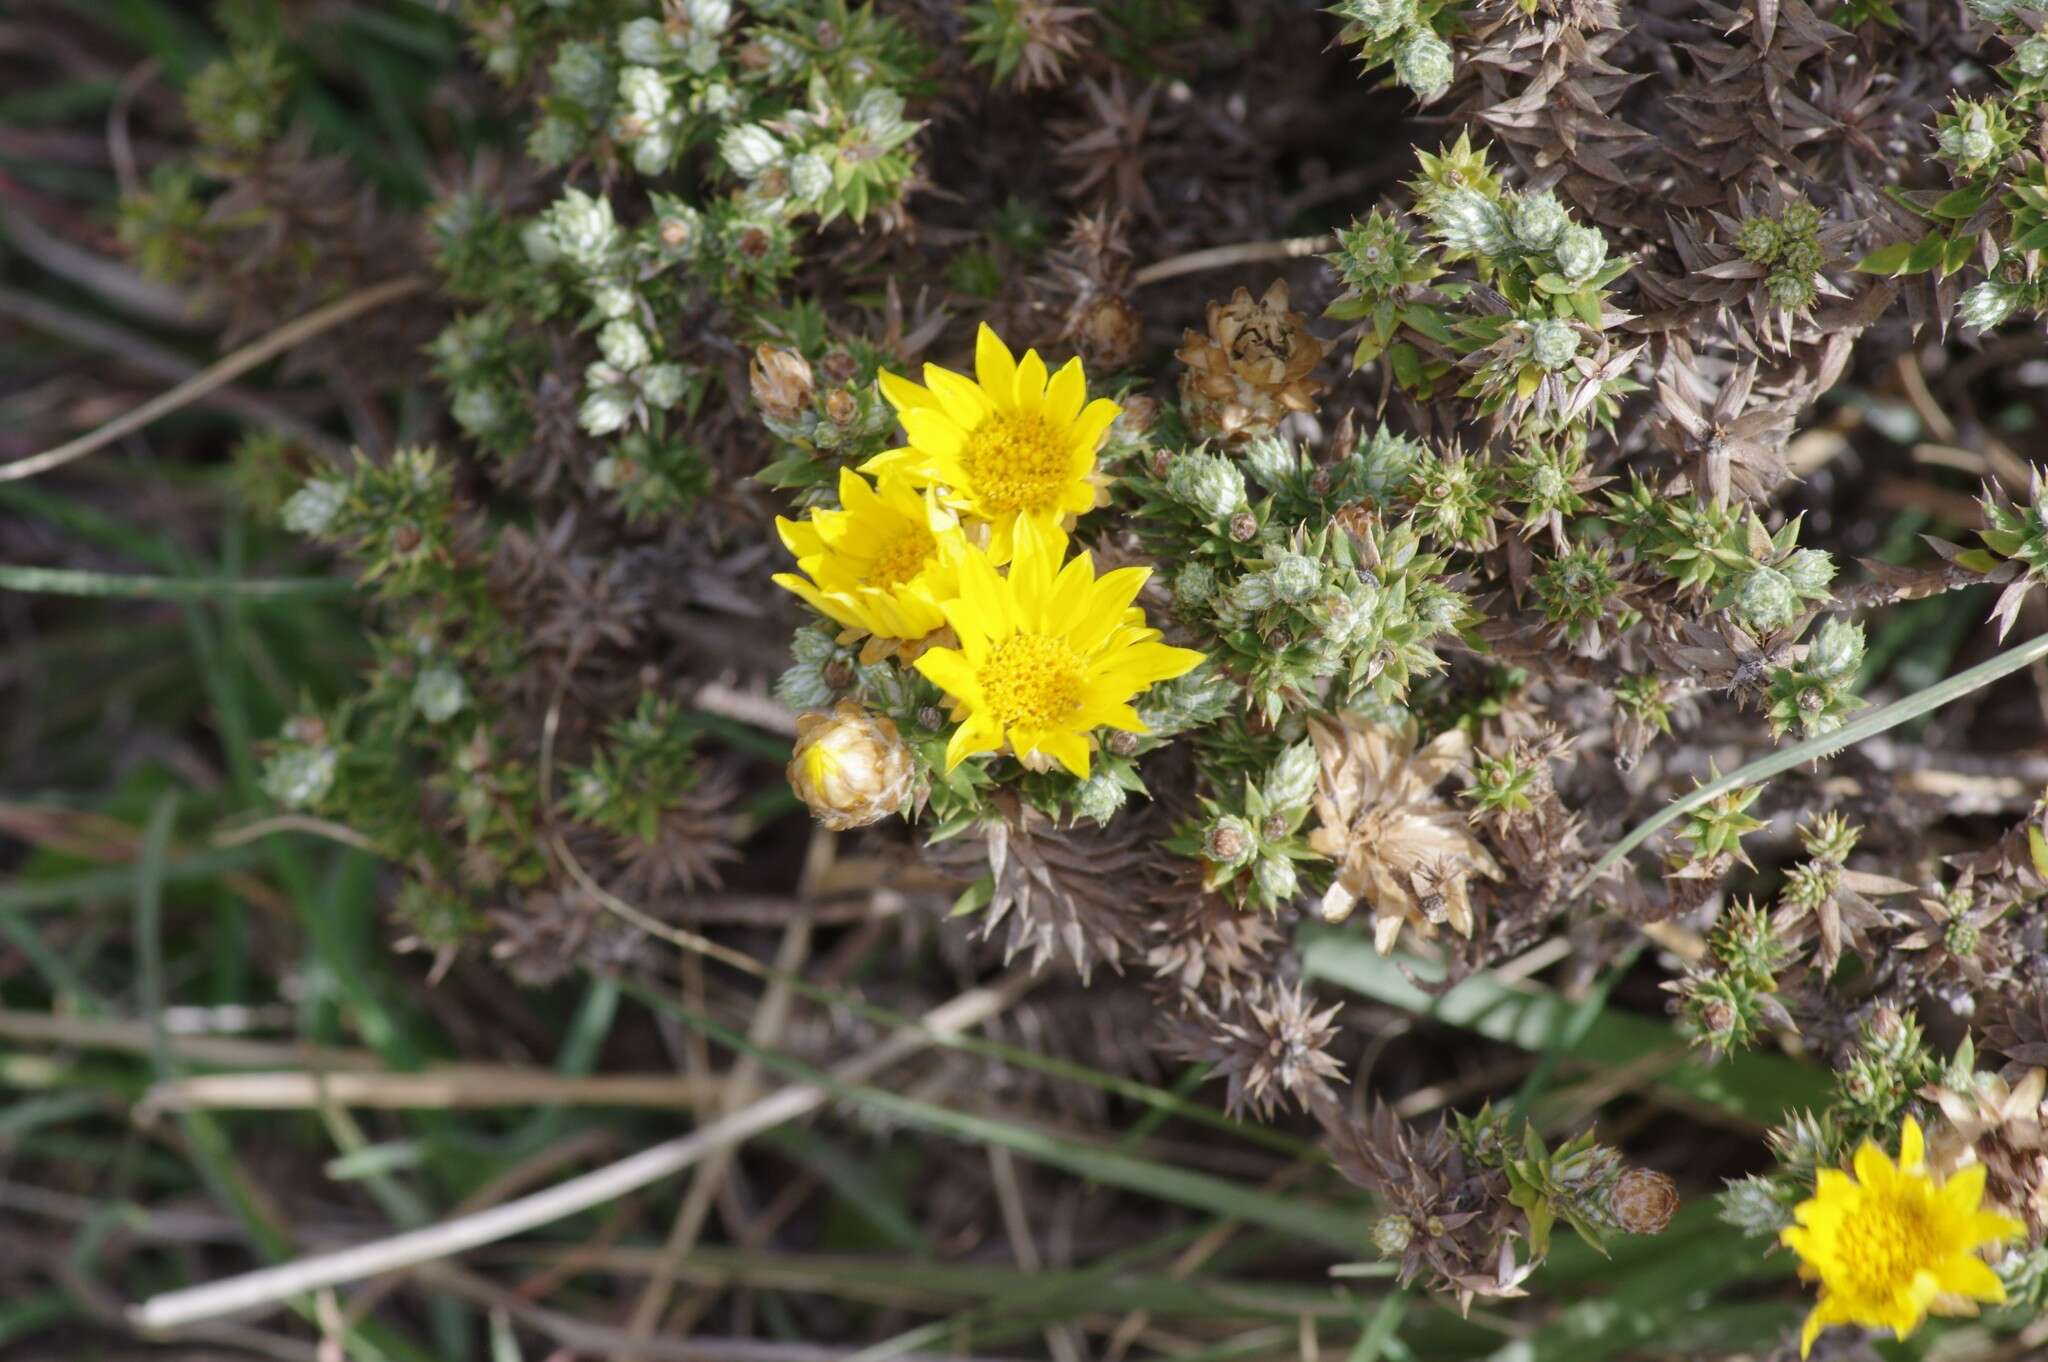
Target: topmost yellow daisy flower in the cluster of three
[[1009, 445]]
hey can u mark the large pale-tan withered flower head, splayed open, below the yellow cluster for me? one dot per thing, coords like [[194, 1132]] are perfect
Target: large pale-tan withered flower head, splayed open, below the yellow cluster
[[1396, 841]]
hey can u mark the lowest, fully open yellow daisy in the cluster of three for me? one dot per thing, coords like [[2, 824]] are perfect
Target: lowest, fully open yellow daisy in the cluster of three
[[1048, 654]]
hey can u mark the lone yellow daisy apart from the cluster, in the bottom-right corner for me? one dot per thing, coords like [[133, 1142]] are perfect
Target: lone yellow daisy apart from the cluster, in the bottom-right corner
[[1891, 1244]]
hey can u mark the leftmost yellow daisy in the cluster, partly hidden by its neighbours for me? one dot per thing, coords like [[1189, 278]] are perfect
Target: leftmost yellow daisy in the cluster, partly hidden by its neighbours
[[878, 566]]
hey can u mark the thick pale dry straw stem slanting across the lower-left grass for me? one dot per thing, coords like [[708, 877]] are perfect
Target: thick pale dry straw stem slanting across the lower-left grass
[[282, 1283]]
